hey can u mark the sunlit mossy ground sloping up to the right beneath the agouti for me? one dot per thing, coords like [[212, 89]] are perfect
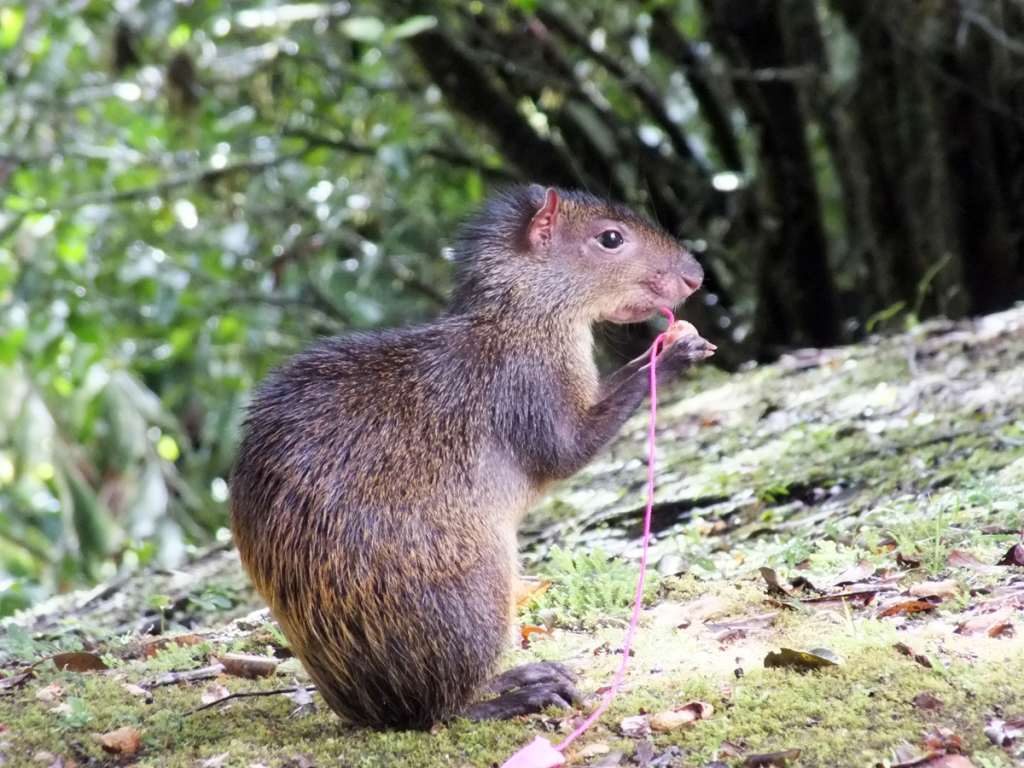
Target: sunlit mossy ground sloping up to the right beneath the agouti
[[912, 446]]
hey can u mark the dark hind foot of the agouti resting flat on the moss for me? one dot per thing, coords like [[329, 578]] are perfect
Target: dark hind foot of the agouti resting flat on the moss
[[527, 691]]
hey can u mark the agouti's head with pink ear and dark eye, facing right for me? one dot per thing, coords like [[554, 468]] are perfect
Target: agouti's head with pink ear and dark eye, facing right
[[538, 250]]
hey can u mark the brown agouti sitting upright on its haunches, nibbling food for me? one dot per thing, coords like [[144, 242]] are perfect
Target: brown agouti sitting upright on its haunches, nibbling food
[[382, 477]]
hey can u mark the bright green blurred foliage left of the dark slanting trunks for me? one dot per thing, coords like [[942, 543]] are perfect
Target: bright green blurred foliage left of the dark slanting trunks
[[177, 220]]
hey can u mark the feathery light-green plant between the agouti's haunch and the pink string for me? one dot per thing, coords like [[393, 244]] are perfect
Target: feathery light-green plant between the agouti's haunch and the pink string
[[587, 588]]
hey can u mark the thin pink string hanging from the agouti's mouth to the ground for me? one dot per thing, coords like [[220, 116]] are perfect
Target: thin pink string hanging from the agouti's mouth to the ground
[[540, 754]]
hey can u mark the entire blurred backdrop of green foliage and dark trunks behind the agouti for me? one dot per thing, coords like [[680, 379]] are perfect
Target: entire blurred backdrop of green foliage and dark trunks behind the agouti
[[193, 191]]
